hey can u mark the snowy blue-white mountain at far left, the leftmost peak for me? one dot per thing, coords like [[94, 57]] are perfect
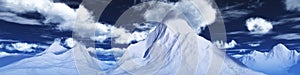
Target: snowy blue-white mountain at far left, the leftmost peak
[[47, 62]]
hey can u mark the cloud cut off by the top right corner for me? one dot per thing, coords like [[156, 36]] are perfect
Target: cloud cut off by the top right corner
[[292, 5]]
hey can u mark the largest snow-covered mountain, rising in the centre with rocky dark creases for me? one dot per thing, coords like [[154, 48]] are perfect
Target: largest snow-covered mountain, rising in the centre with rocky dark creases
[[174, 48]]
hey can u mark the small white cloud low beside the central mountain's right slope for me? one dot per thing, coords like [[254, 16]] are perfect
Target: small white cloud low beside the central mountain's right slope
[[224, 45]]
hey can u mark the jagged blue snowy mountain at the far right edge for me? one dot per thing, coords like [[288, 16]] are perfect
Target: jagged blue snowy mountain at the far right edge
[[277, 61]]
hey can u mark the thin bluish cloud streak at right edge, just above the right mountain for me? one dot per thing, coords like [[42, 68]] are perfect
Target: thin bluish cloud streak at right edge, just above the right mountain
[[290, 36]]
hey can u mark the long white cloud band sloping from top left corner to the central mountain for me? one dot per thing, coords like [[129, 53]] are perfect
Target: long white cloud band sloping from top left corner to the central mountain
[[79, 21]]
